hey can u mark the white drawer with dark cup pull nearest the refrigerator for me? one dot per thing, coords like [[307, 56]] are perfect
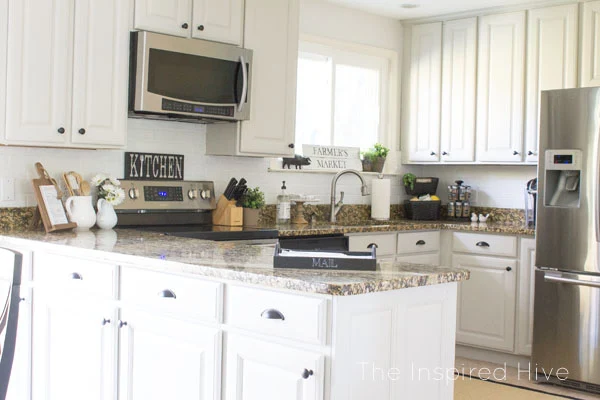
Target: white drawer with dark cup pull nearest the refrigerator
[[477, 243]]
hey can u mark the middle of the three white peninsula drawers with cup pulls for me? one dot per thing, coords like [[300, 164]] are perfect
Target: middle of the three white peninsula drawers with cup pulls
[[190, 298]]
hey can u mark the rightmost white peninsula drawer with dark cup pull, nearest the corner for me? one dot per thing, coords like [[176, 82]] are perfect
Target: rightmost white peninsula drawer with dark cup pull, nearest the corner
[[275, 313]]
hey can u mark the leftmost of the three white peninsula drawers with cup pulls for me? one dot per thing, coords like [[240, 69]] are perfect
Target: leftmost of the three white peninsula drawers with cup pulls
[[65, 274]]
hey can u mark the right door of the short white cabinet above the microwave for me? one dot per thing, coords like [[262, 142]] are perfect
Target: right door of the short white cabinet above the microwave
[[219, 20]]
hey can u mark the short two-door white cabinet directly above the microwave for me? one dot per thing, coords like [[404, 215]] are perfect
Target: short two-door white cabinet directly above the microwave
[[218, 20]]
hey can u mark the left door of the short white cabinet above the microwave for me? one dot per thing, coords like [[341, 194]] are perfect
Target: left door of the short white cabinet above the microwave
[[172, 17]]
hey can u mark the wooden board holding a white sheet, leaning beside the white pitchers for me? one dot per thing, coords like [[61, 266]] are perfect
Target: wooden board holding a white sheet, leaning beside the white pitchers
[[50, 208]]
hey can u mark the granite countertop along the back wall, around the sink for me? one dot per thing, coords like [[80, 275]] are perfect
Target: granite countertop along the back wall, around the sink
[[402, 225]]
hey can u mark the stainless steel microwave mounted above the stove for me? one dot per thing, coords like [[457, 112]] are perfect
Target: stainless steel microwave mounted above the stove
[[188, 79]]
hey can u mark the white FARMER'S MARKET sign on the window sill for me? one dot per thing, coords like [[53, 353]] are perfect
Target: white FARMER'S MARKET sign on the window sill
[[332, 157]]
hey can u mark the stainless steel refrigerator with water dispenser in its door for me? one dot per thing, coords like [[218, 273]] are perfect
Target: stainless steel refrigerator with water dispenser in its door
[[566, 333]]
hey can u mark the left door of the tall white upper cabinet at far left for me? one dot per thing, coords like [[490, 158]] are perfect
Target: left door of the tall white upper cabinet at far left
[[38, 87]]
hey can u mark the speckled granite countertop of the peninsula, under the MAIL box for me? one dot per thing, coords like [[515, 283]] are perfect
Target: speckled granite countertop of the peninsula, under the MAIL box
[[234, 261]]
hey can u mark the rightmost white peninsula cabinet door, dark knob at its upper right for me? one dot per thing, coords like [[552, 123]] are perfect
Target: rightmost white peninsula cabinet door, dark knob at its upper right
[[257, 370]]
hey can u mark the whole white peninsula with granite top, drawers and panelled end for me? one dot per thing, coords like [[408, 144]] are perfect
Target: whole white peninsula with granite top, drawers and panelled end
[[143, 303]]
